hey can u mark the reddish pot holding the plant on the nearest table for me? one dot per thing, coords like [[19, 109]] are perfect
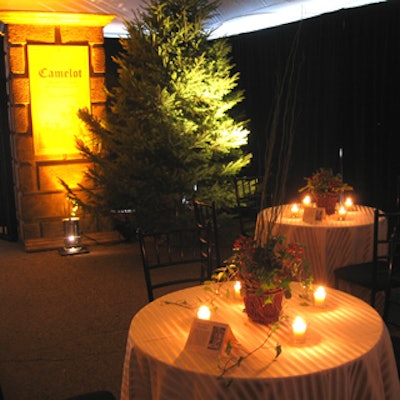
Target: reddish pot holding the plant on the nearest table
[[262, 311]]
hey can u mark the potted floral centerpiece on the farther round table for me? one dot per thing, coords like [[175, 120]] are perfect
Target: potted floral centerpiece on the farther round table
[[325, 187]]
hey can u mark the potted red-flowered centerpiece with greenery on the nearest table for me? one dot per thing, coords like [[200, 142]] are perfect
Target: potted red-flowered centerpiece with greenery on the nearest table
[[265, 273]]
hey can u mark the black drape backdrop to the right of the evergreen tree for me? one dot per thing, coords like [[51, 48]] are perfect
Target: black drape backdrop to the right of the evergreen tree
[[348, 96]]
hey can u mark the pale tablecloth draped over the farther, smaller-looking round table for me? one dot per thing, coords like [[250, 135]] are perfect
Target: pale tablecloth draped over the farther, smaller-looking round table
[[329, 244]]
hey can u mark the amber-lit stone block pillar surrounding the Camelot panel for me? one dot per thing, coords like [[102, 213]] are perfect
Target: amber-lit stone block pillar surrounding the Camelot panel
[[40, 200]]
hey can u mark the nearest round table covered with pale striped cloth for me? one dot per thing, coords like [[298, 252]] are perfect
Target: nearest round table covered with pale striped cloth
[[347, 353]]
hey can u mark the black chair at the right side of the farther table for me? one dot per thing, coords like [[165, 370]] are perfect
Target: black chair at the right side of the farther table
[[377, 275]]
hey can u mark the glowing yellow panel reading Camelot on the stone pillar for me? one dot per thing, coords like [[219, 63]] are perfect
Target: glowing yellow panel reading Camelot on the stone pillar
[[59, 87]]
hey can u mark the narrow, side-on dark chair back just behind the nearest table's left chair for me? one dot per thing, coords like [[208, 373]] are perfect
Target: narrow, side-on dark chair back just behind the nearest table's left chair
[[207, 225]]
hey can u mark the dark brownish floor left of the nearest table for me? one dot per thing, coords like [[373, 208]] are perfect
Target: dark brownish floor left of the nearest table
[[64, 320]]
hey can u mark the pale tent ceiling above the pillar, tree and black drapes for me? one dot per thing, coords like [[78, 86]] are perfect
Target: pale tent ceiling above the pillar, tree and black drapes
[[233, 16]]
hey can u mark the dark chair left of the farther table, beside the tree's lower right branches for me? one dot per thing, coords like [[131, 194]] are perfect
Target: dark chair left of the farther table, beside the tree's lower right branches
[[248, 202]]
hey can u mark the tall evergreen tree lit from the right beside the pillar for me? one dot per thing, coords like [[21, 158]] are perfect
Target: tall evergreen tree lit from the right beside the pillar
[[168, 128]]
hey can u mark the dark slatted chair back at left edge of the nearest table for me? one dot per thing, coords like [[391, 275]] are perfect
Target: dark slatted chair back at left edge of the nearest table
[[173, 258]]
